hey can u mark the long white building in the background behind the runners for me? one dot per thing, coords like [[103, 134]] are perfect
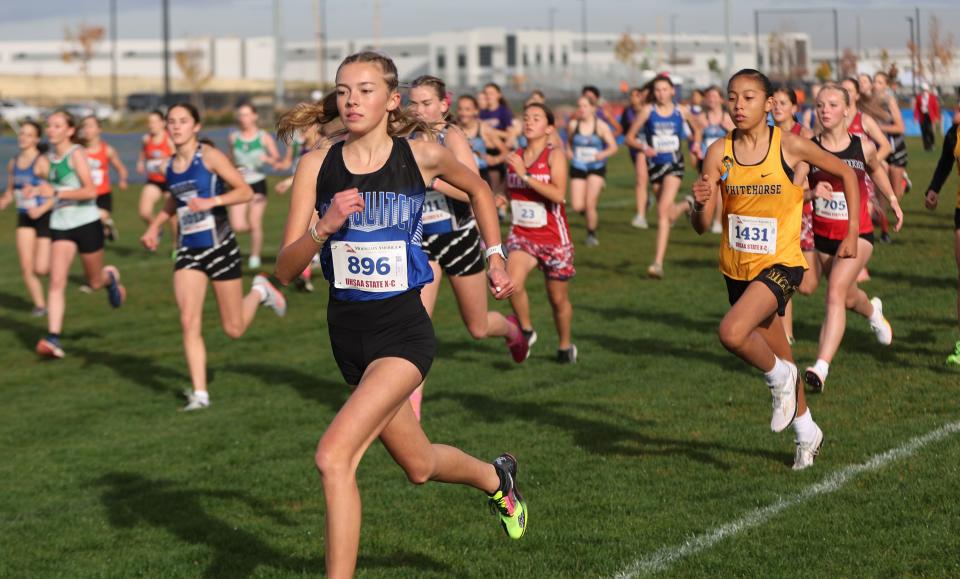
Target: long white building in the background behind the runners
[[558, 59]]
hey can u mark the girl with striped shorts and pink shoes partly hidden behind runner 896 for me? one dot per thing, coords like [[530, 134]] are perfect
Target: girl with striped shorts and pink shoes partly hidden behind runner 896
[[450, 236]]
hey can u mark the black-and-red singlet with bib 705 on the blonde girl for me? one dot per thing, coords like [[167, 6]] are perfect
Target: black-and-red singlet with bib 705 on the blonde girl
[[830, 217]]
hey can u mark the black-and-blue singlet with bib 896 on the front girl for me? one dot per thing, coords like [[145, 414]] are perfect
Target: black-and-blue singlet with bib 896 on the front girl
[[376, 254]]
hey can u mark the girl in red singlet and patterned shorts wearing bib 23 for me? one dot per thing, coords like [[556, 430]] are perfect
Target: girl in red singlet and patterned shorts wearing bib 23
[[540, 237]]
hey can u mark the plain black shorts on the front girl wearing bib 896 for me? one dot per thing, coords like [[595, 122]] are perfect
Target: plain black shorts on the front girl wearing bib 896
[[396, 327]]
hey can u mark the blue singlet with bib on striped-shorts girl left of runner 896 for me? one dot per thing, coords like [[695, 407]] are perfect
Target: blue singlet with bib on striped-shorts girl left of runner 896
[[201, 229]]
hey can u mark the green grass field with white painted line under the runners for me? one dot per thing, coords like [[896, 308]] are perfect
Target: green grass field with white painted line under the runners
[[657, 439]]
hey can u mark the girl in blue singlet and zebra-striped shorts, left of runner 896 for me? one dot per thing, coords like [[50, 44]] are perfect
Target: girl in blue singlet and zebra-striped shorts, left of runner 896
[[207, 248]]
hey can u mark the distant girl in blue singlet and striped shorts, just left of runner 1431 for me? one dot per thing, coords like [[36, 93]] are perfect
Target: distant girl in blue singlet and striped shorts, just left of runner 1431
[[662, 124]]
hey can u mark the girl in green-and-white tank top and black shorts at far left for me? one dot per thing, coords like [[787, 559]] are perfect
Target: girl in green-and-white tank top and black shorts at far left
[[74, 228]]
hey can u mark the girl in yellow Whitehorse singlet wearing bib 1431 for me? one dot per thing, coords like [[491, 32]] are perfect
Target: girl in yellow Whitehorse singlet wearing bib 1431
[[752, 169]]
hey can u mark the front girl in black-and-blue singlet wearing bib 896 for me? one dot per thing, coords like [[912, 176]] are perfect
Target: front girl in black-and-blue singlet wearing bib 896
[[369, 192]]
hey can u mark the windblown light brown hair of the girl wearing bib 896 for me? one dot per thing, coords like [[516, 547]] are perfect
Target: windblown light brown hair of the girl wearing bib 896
[[400, 122]]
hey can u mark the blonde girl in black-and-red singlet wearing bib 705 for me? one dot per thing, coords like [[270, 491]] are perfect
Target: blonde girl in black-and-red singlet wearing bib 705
[[830, 226]]
